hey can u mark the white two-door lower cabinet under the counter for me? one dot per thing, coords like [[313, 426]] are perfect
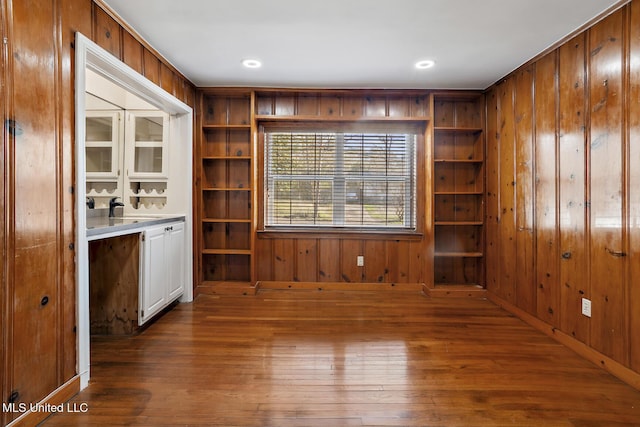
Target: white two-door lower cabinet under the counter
[[162, 273]]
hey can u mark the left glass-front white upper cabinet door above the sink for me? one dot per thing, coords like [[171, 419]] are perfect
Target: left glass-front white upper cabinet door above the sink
[[104, 132]]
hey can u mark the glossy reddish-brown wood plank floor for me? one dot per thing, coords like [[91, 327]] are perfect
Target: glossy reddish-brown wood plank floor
[[334, 358]]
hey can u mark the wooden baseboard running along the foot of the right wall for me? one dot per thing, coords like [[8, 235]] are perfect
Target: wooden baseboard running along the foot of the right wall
[[615, 368]]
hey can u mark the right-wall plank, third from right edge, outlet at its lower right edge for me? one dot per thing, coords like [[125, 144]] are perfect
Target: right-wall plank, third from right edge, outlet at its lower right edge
[[574, 283]]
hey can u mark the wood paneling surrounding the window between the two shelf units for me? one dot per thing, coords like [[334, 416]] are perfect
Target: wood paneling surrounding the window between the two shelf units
[[320, 257]]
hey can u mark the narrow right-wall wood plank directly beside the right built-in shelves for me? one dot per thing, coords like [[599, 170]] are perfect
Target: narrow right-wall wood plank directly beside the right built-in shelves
[[492, 221]]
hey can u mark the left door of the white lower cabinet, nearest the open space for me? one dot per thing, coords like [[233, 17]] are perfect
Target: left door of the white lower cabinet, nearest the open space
[[154, 274]]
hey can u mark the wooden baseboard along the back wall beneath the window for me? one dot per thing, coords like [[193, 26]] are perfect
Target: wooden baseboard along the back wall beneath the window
[[340, 286]]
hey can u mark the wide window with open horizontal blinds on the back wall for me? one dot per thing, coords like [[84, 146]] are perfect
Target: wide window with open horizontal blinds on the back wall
[[340, 178]]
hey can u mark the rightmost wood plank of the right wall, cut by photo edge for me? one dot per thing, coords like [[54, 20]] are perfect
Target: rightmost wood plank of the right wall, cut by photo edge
[[634, 187]]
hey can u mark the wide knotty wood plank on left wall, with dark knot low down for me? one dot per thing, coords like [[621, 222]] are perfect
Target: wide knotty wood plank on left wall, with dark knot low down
[[35, 297]]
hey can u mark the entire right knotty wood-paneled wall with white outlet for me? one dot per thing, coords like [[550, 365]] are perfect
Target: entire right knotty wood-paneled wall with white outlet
[[563, 187]]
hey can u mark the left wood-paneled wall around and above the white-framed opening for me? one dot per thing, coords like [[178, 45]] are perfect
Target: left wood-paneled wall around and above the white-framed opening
[[37, 295]]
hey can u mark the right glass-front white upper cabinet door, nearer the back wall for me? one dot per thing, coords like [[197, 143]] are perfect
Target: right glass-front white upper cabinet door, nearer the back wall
[[147, 135]]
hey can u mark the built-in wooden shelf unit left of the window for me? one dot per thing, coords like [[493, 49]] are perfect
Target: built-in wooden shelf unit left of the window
[[225, 186]]
